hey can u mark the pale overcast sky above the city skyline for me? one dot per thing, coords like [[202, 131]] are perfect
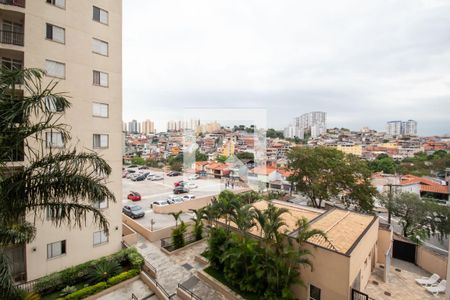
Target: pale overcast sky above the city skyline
[[363, 62]]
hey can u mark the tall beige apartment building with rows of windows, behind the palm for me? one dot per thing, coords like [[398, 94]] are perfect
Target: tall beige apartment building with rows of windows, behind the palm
[[79, 44]]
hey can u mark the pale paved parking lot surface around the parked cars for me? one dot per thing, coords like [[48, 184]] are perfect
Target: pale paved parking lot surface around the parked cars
[[160, 190]]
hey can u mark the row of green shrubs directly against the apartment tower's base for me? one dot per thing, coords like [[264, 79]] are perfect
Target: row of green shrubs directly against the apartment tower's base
[[74, 275]]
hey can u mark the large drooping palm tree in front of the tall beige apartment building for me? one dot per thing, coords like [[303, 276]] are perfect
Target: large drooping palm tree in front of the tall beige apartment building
[[64, 184]]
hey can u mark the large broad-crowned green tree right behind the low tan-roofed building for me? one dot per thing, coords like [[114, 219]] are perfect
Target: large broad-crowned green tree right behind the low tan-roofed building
[[324, 173]]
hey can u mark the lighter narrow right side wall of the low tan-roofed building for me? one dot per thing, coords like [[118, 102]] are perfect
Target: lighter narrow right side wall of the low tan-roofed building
[[362, 257]]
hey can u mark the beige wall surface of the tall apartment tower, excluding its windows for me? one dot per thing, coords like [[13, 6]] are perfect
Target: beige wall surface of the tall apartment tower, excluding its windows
[[80, 61]]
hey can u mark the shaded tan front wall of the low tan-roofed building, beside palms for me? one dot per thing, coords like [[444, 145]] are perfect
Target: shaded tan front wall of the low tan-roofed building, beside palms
[[330, 274]]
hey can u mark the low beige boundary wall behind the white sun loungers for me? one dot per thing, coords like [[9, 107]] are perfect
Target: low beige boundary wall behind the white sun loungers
[[431, 261]]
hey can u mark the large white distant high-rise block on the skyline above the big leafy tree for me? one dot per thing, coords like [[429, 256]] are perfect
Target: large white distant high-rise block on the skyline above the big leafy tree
[[312, 122]]
